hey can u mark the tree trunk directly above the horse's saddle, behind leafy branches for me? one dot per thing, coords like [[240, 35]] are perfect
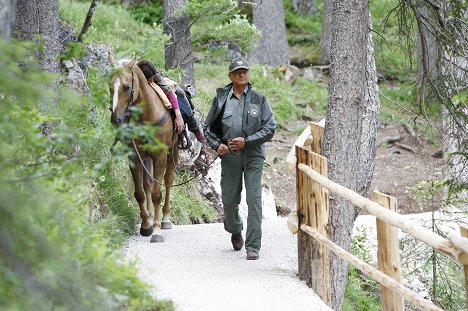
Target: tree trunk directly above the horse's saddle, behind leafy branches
[[178, 52]]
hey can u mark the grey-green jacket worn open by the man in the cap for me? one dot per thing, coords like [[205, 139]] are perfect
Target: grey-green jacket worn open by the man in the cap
[[258, 124]]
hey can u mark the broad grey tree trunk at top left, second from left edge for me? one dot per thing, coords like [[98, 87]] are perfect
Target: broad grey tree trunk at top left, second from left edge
[[38, 21]]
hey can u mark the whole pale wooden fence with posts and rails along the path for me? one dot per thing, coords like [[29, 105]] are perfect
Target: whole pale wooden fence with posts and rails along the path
[[311, 222]]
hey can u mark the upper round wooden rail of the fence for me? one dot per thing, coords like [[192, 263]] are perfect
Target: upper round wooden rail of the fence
[[419, 232]]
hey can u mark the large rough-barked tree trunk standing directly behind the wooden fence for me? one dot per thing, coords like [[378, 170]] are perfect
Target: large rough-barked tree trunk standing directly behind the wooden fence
[[351, 124]]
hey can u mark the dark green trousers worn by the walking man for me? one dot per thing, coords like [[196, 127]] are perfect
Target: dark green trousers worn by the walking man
[[234, 168]]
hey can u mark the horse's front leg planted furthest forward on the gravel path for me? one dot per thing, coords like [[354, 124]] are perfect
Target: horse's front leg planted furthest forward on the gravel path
[[159, 165]]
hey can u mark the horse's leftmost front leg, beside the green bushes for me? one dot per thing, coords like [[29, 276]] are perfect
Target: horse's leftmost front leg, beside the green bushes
[[146, 228]]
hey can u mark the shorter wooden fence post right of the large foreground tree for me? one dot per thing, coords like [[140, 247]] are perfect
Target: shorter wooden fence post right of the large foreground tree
[[388, 254]]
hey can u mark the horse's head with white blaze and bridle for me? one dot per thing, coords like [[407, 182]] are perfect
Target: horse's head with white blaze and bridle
[[123, 87]]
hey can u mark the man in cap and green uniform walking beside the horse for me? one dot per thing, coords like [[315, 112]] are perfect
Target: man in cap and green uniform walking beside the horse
[[239, 123]]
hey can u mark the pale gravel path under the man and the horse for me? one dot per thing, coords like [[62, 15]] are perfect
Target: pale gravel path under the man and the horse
[[197, 269]]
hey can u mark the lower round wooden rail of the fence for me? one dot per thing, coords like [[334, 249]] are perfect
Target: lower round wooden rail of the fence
[[381, 277]]
